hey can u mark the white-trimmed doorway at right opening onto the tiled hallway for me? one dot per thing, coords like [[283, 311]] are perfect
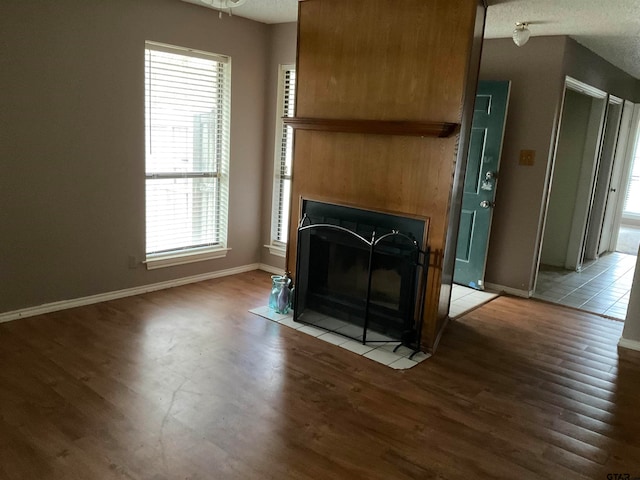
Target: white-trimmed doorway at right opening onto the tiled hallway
[[578, 263]]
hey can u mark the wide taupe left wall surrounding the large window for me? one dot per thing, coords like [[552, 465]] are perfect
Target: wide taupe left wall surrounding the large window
[[72, 141]]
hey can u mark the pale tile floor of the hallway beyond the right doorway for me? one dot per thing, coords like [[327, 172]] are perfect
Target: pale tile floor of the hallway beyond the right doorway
[[602, 287]]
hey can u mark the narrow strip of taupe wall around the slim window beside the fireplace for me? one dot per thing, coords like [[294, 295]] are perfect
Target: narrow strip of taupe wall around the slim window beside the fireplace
[[282, 43]]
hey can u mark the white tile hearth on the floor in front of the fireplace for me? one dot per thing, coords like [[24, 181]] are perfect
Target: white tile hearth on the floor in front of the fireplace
[[378, 352]]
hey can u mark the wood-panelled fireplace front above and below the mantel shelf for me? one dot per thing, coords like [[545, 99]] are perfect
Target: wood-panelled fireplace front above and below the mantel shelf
[[388, 61]]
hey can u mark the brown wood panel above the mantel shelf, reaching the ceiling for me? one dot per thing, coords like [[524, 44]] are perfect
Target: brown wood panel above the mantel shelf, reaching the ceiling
[[372, 59]]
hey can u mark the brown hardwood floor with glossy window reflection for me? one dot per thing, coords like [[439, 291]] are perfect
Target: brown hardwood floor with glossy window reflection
[[186, 384]]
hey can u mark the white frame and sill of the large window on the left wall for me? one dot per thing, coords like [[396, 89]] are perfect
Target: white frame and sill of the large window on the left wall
[[219, 170]]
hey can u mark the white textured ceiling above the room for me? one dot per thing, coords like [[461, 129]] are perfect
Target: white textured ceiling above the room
[[610, 28]]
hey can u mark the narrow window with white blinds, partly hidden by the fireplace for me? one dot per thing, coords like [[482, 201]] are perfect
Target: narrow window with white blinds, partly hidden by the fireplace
[[283, 160]]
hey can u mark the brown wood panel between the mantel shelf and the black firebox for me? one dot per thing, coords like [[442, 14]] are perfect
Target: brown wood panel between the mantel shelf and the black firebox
[[401, 175]]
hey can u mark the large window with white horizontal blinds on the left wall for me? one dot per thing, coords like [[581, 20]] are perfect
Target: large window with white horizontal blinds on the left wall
[[187, 111]]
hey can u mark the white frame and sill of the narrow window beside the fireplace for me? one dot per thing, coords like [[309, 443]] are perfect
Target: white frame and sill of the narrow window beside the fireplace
[[277, 246]]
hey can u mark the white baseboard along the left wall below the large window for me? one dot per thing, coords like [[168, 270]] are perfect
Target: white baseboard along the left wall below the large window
[[127, 292]]
